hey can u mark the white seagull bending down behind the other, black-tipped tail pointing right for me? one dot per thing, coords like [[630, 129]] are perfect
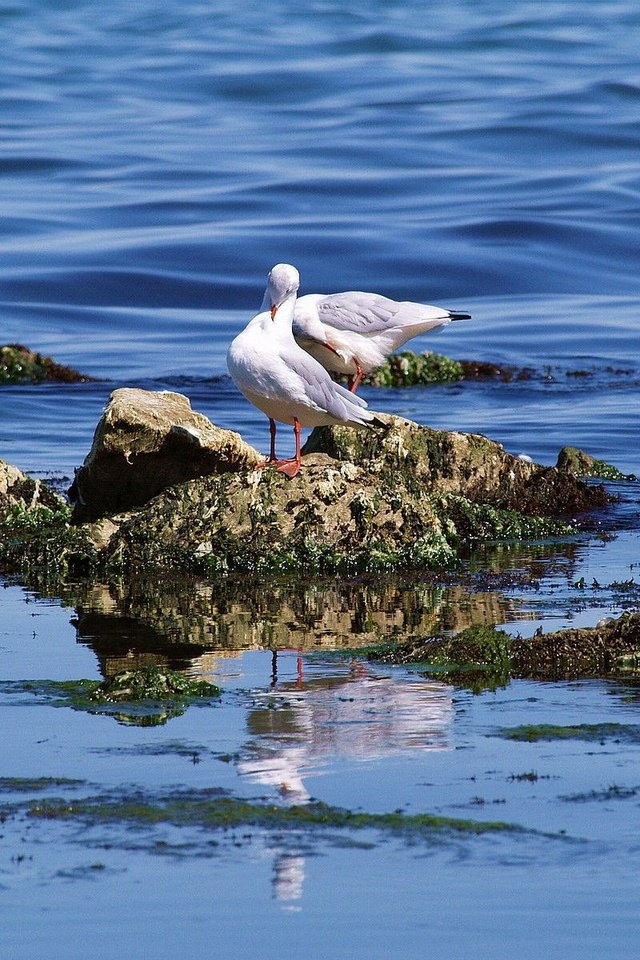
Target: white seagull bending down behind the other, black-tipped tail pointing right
[[352, 333]]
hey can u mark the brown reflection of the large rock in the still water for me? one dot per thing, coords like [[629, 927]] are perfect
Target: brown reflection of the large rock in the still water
[[175, 623]]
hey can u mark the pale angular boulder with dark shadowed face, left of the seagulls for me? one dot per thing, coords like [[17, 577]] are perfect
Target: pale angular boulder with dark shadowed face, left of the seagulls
[[145, 442]]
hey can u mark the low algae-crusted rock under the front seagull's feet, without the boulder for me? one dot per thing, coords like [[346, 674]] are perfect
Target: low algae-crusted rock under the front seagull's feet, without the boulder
[[403, 496]]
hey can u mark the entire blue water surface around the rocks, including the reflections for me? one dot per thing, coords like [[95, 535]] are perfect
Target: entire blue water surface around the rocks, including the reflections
[[155, 161]]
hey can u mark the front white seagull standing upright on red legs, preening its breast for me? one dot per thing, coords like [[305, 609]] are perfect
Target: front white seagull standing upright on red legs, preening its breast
[[281, 379]]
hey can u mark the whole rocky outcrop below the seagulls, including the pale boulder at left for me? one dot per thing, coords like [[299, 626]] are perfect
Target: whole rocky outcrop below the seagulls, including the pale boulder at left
[[399, 496]]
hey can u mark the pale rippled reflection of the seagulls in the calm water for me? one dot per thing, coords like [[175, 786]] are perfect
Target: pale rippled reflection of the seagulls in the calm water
[[357, 715]]
